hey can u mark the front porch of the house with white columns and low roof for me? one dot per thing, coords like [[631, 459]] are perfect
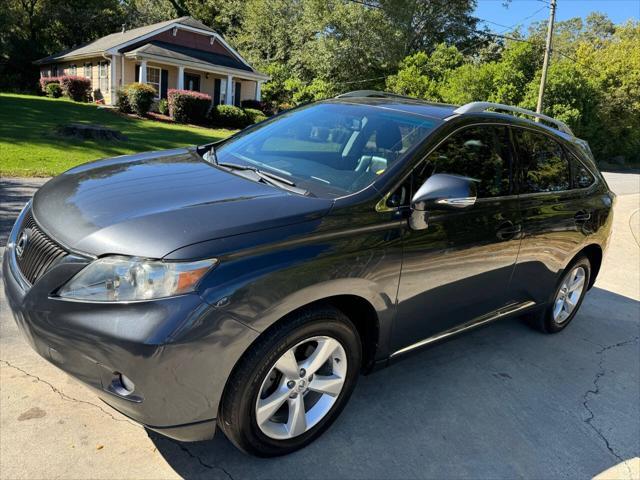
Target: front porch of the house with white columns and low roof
[[165, 67]]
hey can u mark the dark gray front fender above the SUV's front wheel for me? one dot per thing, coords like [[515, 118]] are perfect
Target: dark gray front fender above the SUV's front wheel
[[259, 286]]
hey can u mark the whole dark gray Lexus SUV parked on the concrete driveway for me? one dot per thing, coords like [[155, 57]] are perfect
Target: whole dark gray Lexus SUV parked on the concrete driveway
[[248, 283]]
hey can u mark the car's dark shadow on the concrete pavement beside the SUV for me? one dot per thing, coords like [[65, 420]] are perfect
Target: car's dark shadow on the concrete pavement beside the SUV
[[503, 401]]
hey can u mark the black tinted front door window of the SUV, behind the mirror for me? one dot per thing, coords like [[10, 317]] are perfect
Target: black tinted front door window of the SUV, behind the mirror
[[480, 152]]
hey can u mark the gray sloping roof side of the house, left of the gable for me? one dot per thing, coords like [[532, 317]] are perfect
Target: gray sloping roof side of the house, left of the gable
[[100, 45]]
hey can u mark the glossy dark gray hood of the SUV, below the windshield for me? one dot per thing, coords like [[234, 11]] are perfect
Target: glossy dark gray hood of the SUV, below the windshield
[[153, 203]]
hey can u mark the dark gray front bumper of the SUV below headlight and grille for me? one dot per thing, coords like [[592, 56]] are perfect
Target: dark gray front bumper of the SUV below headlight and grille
[[178, 352]]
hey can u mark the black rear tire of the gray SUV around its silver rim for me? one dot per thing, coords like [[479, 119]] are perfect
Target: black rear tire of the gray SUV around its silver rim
[[548, 320]]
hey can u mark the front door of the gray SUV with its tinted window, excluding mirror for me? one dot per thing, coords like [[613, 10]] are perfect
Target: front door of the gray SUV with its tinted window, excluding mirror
[[459, 268]]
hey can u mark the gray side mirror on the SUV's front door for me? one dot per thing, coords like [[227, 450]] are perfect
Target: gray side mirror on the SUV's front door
[[445, 192]]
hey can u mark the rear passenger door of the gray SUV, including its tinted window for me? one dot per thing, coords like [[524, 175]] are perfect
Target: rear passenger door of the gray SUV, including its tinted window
[[556, 214]]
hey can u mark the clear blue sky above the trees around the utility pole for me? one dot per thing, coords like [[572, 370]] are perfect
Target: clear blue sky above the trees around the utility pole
[[523, 12]]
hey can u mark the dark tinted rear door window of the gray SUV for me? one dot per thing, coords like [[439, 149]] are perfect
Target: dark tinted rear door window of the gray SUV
[[543, 163]]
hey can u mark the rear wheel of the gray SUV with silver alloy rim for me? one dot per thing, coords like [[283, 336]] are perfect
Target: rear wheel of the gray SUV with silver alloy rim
[[567, 298]]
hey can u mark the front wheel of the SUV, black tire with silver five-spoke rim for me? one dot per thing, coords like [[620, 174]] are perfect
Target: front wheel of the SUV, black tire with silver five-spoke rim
[[257, 383]]
